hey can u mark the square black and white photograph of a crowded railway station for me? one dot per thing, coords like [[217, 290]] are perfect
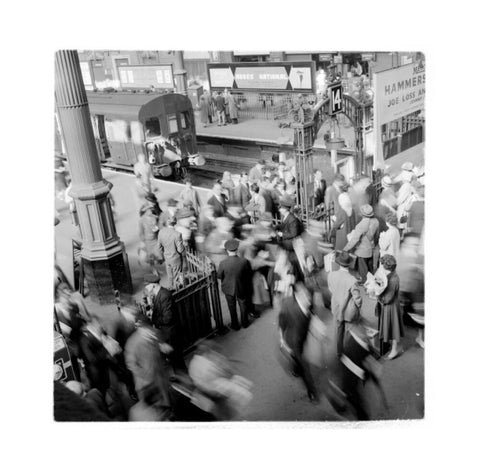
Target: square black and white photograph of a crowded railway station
[[229, 222]]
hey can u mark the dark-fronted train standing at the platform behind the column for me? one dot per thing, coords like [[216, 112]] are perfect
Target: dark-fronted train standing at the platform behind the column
[[128, 123]]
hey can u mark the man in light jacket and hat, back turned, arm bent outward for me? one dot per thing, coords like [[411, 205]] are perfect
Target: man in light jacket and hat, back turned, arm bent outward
[[363, 240]]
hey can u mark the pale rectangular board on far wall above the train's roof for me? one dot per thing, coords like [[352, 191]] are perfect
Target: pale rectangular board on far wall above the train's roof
[[159, 76]]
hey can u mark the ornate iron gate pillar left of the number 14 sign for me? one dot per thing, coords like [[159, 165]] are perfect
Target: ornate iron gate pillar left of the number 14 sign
[[304, 137]]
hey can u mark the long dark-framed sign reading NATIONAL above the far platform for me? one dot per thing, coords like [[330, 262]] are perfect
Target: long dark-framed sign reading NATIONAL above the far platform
[[263, 77]]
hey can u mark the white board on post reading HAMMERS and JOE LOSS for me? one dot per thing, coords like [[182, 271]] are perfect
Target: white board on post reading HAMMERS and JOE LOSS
[[397, 92]]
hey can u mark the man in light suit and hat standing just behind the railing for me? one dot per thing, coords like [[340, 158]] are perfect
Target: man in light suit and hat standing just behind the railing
[[172, 250]]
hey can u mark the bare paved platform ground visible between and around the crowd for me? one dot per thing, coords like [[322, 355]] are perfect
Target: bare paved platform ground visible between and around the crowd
[[277, 396]]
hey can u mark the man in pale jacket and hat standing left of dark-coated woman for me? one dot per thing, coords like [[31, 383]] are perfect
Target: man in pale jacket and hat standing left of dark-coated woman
[[344, 288]]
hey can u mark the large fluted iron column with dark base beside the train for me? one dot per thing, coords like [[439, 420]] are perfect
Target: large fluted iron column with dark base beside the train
[[103, 254]]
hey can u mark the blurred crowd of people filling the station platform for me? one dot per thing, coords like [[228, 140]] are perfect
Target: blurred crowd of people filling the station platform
[[360, 246]]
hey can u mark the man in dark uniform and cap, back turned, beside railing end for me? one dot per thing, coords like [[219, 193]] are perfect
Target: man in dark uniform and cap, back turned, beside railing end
[[236, 275]]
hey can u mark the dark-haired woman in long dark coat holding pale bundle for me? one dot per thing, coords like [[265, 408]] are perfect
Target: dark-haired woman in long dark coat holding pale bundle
[[390, 322]]
